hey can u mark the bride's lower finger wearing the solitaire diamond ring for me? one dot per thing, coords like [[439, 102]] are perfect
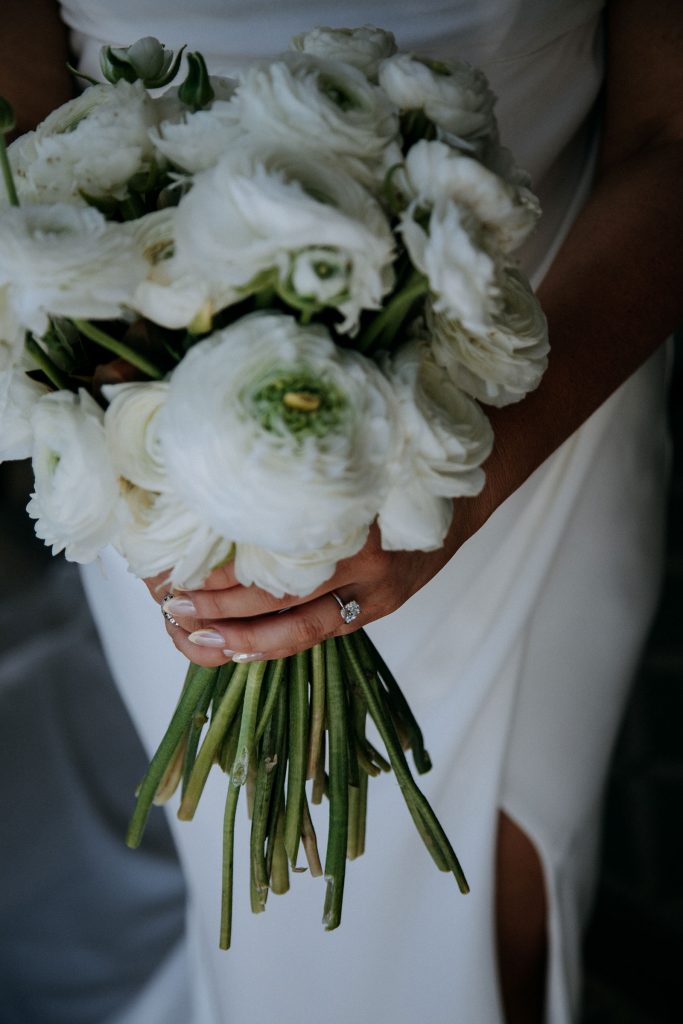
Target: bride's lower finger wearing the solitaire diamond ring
[[268, 636]]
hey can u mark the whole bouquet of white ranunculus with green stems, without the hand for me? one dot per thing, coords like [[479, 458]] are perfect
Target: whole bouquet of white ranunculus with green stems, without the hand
[[247, 320]]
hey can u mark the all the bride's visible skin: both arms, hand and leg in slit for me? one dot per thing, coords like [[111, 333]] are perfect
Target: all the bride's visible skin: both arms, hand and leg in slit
[[612, 297]]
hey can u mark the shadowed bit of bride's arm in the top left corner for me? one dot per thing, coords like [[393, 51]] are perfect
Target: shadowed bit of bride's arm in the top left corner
[[33, 70]]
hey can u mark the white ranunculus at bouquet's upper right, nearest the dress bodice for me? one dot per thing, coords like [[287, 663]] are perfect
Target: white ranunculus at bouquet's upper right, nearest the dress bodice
[[453, 95]]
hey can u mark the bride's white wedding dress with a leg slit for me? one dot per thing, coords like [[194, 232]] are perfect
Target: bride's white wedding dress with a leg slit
[[517, 659]]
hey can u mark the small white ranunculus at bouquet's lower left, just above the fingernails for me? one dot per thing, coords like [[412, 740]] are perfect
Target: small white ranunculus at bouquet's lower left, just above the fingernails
[[162, 535]]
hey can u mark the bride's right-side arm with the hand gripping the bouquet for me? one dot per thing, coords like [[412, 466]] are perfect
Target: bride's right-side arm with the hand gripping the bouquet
[[612, 297]]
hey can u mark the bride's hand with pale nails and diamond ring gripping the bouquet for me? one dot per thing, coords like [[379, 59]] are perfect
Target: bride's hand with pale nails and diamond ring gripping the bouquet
[[226, 622]]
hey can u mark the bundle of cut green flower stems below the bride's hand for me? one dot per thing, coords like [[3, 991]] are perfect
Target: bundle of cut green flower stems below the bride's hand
[[273, 727]]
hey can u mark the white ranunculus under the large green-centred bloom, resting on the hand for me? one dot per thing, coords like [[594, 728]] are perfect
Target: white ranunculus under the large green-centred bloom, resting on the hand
[[301, 575]]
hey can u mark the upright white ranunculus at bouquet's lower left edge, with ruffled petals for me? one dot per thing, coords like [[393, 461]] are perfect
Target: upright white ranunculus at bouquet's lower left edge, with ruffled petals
[[76, 501]]
